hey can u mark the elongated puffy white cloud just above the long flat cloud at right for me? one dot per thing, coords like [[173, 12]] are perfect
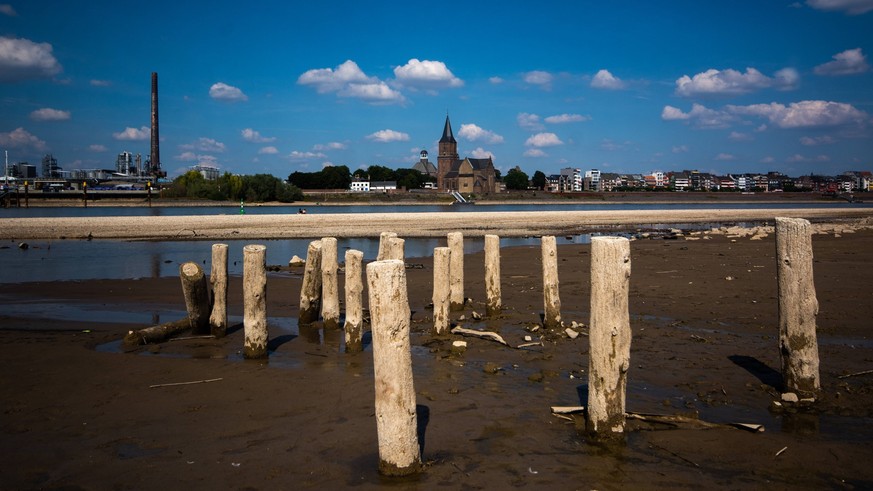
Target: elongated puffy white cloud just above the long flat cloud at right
[[733, 82]]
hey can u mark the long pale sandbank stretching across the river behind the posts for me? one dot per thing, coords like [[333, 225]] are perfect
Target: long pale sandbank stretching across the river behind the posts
[[505, 224]]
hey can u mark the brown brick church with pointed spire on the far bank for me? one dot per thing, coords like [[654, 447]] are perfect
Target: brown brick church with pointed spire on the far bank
[[467, 176]]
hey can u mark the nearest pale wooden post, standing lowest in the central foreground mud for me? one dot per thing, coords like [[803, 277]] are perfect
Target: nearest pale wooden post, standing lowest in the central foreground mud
[[396, 418]]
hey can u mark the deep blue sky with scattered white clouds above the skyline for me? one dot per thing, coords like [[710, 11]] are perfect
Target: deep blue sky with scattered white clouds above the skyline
[[276, 87]]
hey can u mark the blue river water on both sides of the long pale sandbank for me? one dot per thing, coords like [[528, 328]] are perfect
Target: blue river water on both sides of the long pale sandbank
[[105, 259]]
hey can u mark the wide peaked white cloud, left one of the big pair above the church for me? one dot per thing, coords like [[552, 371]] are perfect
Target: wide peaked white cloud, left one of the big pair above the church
[[348, 80]]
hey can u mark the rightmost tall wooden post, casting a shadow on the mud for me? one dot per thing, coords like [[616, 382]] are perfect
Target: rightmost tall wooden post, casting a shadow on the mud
[[798, 307]]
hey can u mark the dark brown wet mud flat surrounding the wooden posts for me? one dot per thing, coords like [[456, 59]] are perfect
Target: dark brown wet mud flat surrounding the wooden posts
[[703, 315]]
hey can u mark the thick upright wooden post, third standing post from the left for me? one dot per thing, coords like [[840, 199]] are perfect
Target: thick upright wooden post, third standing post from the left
[[255, 301]]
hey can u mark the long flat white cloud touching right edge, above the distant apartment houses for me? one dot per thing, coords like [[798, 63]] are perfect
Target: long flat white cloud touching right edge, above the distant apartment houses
[[804, 113]]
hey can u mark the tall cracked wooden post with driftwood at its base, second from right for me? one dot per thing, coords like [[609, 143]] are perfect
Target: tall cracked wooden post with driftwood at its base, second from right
[[609, 336]]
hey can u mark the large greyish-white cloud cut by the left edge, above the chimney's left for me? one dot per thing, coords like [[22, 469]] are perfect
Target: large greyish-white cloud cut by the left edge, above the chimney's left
[[22, 59]]
